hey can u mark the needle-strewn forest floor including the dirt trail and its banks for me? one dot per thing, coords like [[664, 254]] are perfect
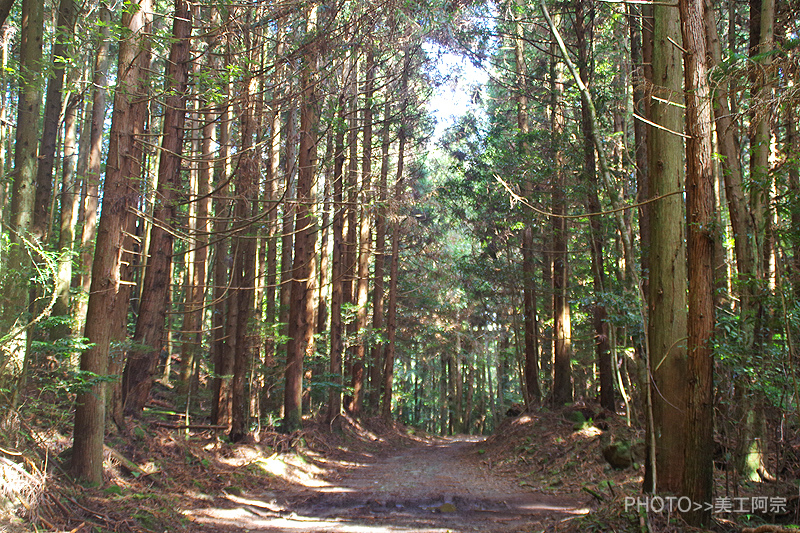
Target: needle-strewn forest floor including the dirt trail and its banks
[[539, 472]]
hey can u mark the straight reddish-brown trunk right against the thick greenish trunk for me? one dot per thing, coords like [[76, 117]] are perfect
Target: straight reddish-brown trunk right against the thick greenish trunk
[[698, 466]]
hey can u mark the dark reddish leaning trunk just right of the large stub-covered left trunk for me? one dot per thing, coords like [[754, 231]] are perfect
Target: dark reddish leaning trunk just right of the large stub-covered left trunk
[[148, 338]]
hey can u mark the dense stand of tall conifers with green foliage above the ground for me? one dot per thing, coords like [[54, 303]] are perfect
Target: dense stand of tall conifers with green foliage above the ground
[[243, 208]]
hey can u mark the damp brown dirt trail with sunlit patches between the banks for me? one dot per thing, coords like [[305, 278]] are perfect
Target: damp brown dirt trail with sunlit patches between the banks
[[436, 485]]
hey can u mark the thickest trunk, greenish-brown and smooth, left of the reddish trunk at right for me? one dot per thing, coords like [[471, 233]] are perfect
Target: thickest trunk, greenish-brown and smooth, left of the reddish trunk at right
[[667, 283]]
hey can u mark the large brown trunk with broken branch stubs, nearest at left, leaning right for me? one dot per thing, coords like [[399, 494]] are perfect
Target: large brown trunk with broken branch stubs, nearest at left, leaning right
[[108, 304]]
